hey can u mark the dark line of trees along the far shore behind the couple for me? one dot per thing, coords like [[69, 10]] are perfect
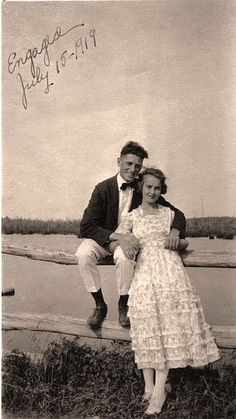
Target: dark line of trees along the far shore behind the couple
[[220, 227]]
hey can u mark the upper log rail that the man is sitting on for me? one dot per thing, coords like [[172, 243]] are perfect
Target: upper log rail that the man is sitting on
[[199, 258]]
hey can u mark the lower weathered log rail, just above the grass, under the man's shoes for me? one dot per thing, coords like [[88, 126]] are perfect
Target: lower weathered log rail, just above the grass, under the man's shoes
[[225, 336]]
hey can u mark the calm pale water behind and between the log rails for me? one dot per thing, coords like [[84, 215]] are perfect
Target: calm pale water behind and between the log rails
[[48, 288]]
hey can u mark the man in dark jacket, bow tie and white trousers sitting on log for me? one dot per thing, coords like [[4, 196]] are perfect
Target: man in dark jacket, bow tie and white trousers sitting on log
[[110, 200]]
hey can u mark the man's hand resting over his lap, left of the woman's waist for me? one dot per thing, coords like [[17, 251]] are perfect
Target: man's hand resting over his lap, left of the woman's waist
[[128, 243]]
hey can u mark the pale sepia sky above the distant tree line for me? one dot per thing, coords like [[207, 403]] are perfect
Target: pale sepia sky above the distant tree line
[[161, 73]]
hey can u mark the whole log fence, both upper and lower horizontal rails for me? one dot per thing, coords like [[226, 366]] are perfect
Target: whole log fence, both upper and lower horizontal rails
[[225, 335]]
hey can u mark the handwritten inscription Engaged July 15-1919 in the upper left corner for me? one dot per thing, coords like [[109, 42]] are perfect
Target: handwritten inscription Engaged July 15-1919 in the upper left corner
[[37, 73]]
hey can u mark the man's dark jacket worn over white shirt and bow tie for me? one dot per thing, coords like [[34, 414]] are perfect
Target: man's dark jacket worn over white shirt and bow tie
[[101, 216]]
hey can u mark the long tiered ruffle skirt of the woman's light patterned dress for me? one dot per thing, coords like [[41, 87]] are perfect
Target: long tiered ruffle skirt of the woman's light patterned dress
[[168, 327]]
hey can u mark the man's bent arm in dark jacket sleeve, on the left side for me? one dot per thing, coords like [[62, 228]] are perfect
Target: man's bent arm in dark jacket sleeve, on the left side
[[91, 225]]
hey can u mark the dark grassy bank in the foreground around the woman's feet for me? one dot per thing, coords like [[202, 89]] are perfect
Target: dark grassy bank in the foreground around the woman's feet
[[77, 381]]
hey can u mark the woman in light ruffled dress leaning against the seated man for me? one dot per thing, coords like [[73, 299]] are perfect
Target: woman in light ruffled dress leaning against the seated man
[[168, 328]]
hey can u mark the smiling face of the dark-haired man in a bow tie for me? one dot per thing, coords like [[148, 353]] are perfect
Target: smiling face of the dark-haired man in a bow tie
[[130, 166]]
